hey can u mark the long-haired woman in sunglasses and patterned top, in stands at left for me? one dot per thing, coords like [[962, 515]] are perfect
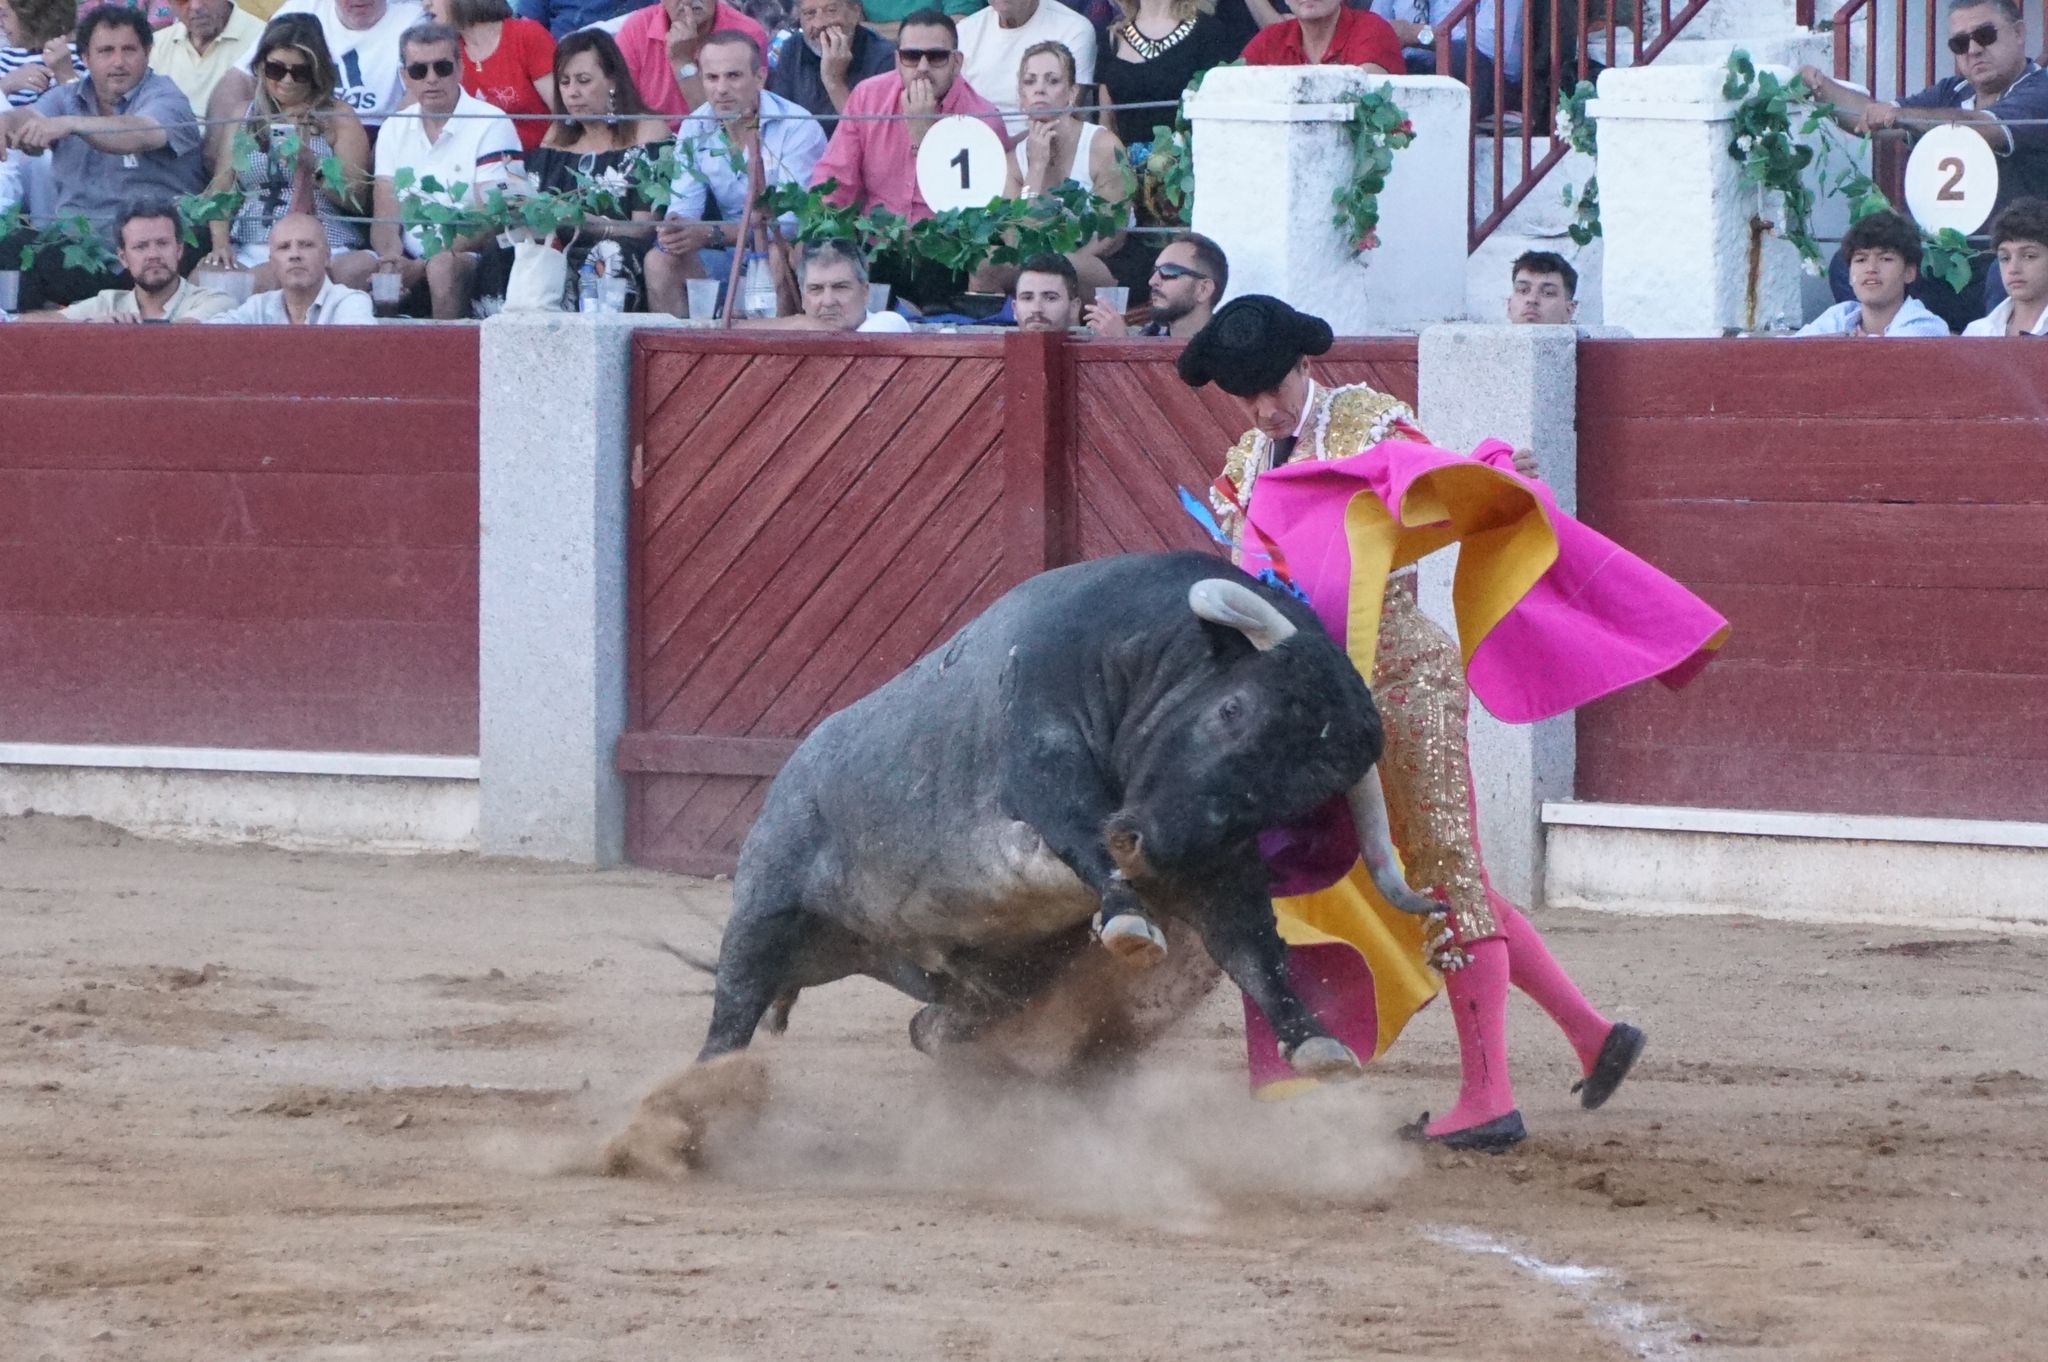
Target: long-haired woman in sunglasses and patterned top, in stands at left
[[290, 101]]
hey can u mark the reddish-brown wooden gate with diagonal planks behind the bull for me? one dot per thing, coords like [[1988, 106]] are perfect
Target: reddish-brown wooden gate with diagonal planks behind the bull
[[814, 513]]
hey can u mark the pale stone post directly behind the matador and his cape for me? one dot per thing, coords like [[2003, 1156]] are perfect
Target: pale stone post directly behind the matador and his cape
[[1517, 384]]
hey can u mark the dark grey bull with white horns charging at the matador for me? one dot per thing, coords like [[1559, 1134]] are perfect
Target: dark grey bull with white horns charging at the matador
[[1107, 738]]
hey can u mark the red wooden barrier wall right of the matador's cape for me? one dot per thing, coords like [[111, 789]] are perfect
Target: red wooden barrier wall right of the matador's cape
[[1873, 519]]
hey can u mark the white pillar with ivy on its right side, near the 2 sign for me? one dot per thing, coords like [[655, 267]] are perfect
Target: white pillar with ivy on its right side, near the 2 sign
[[1684, 253]]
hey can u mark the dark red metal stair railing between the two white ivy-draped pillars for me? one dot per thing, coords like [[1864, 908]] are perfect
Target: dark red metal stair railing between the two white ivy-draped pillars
[[1537, 114]]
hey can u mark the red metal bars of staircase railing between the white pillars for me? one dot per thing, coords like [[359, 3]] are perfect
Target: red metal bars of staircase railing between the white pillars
[[1564, 42]]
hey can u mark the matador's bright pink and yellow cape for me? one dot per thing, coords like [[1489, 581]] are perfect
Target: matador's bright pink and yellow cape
[[1551, 615]]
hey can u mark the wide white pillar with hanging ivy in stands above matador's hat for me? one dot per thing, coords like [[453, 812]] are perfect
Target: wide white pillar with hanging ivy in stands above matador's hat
[[1273, 146]]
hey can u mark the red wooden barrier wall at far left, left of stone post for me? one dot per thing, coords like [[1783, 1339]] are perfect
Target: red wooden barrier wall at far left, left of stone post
[[243, 540]]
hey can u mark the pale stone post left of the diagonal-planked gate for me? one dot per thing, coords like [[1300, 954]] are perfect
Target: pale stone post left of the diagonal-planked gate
[[552, 593]]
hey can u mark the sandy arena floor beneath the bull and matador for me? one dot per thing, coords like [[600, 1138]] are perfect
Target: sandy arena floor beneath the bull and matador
[[261, 1105]]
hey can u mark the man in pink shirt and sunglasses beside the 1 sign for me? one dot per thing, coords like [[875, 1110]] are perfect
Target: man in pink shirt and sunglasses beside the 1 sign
[[876, 161]]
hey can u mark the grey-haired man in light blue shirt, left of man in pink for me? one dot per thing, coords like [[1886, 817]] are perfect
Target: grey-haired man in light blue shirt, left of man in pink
[[738, 124]]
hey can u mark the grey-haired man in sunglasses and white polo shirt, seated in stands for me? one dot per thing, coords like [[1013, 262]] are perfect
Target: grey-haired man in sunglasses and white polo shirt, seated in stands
[[476, 151]]
